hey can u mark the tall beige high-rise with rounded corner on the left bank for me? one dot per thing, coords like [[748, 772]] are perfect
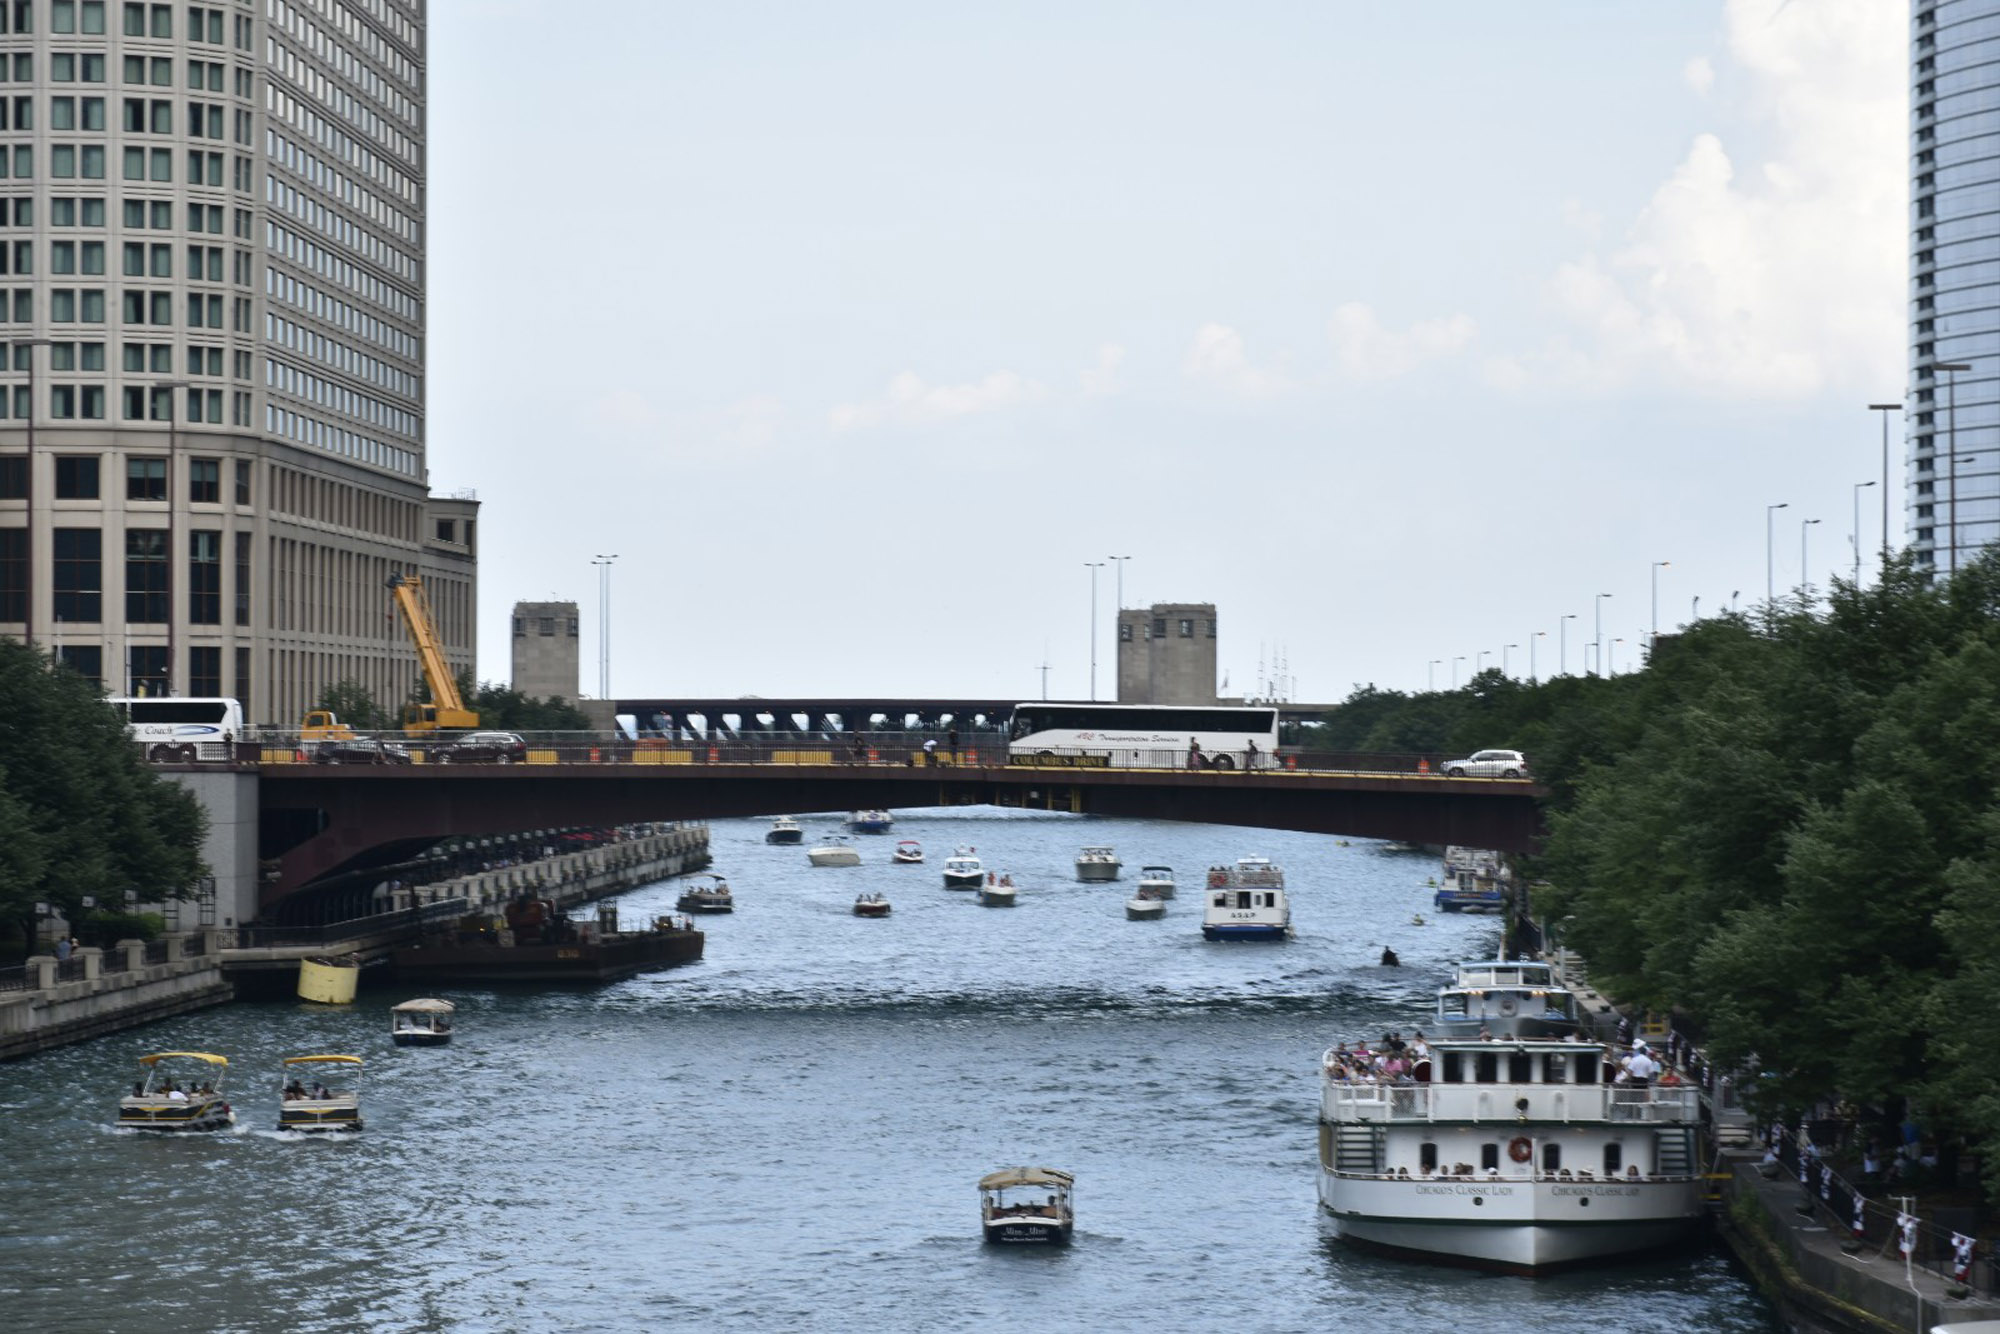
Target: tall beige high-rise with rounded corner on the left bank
[[213, 323]]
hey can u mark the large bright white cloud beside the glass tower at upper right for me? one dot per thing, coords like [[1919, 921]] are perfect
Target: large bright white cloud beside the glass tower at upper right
[[1771, 281]]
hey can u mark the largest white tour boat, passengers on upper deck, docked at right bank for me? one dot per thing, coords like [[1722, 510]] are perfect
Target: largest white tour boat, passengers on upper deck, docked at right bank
[[1513, 1155]]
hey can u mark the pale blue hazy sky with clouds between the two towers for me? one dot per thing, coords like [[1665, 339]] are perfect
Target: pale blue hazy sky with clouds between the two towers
[[1399, 333]]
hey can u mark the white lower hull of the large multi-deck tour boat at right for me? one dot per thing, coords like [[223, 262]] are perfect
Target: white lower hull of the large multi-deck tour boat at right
[[1509, 1225]]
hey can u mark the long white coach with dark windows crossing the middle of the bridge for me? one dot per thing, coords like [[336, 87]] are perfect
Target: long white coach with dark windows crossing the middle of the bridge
[[1143, 737]]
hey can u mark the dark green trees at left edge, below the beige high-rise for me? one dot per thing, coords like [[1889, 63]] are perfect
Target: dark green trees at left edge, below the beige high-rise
[[79, 809]]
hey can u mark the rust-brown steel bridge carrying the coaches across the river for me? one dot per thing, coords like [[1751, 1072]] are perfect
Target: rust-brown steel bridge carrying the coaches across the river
[[319, 821]]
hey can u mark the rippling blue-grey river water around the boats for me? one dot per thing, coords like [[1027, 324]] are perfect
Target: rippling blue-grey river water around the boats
[[787, 1135]]
